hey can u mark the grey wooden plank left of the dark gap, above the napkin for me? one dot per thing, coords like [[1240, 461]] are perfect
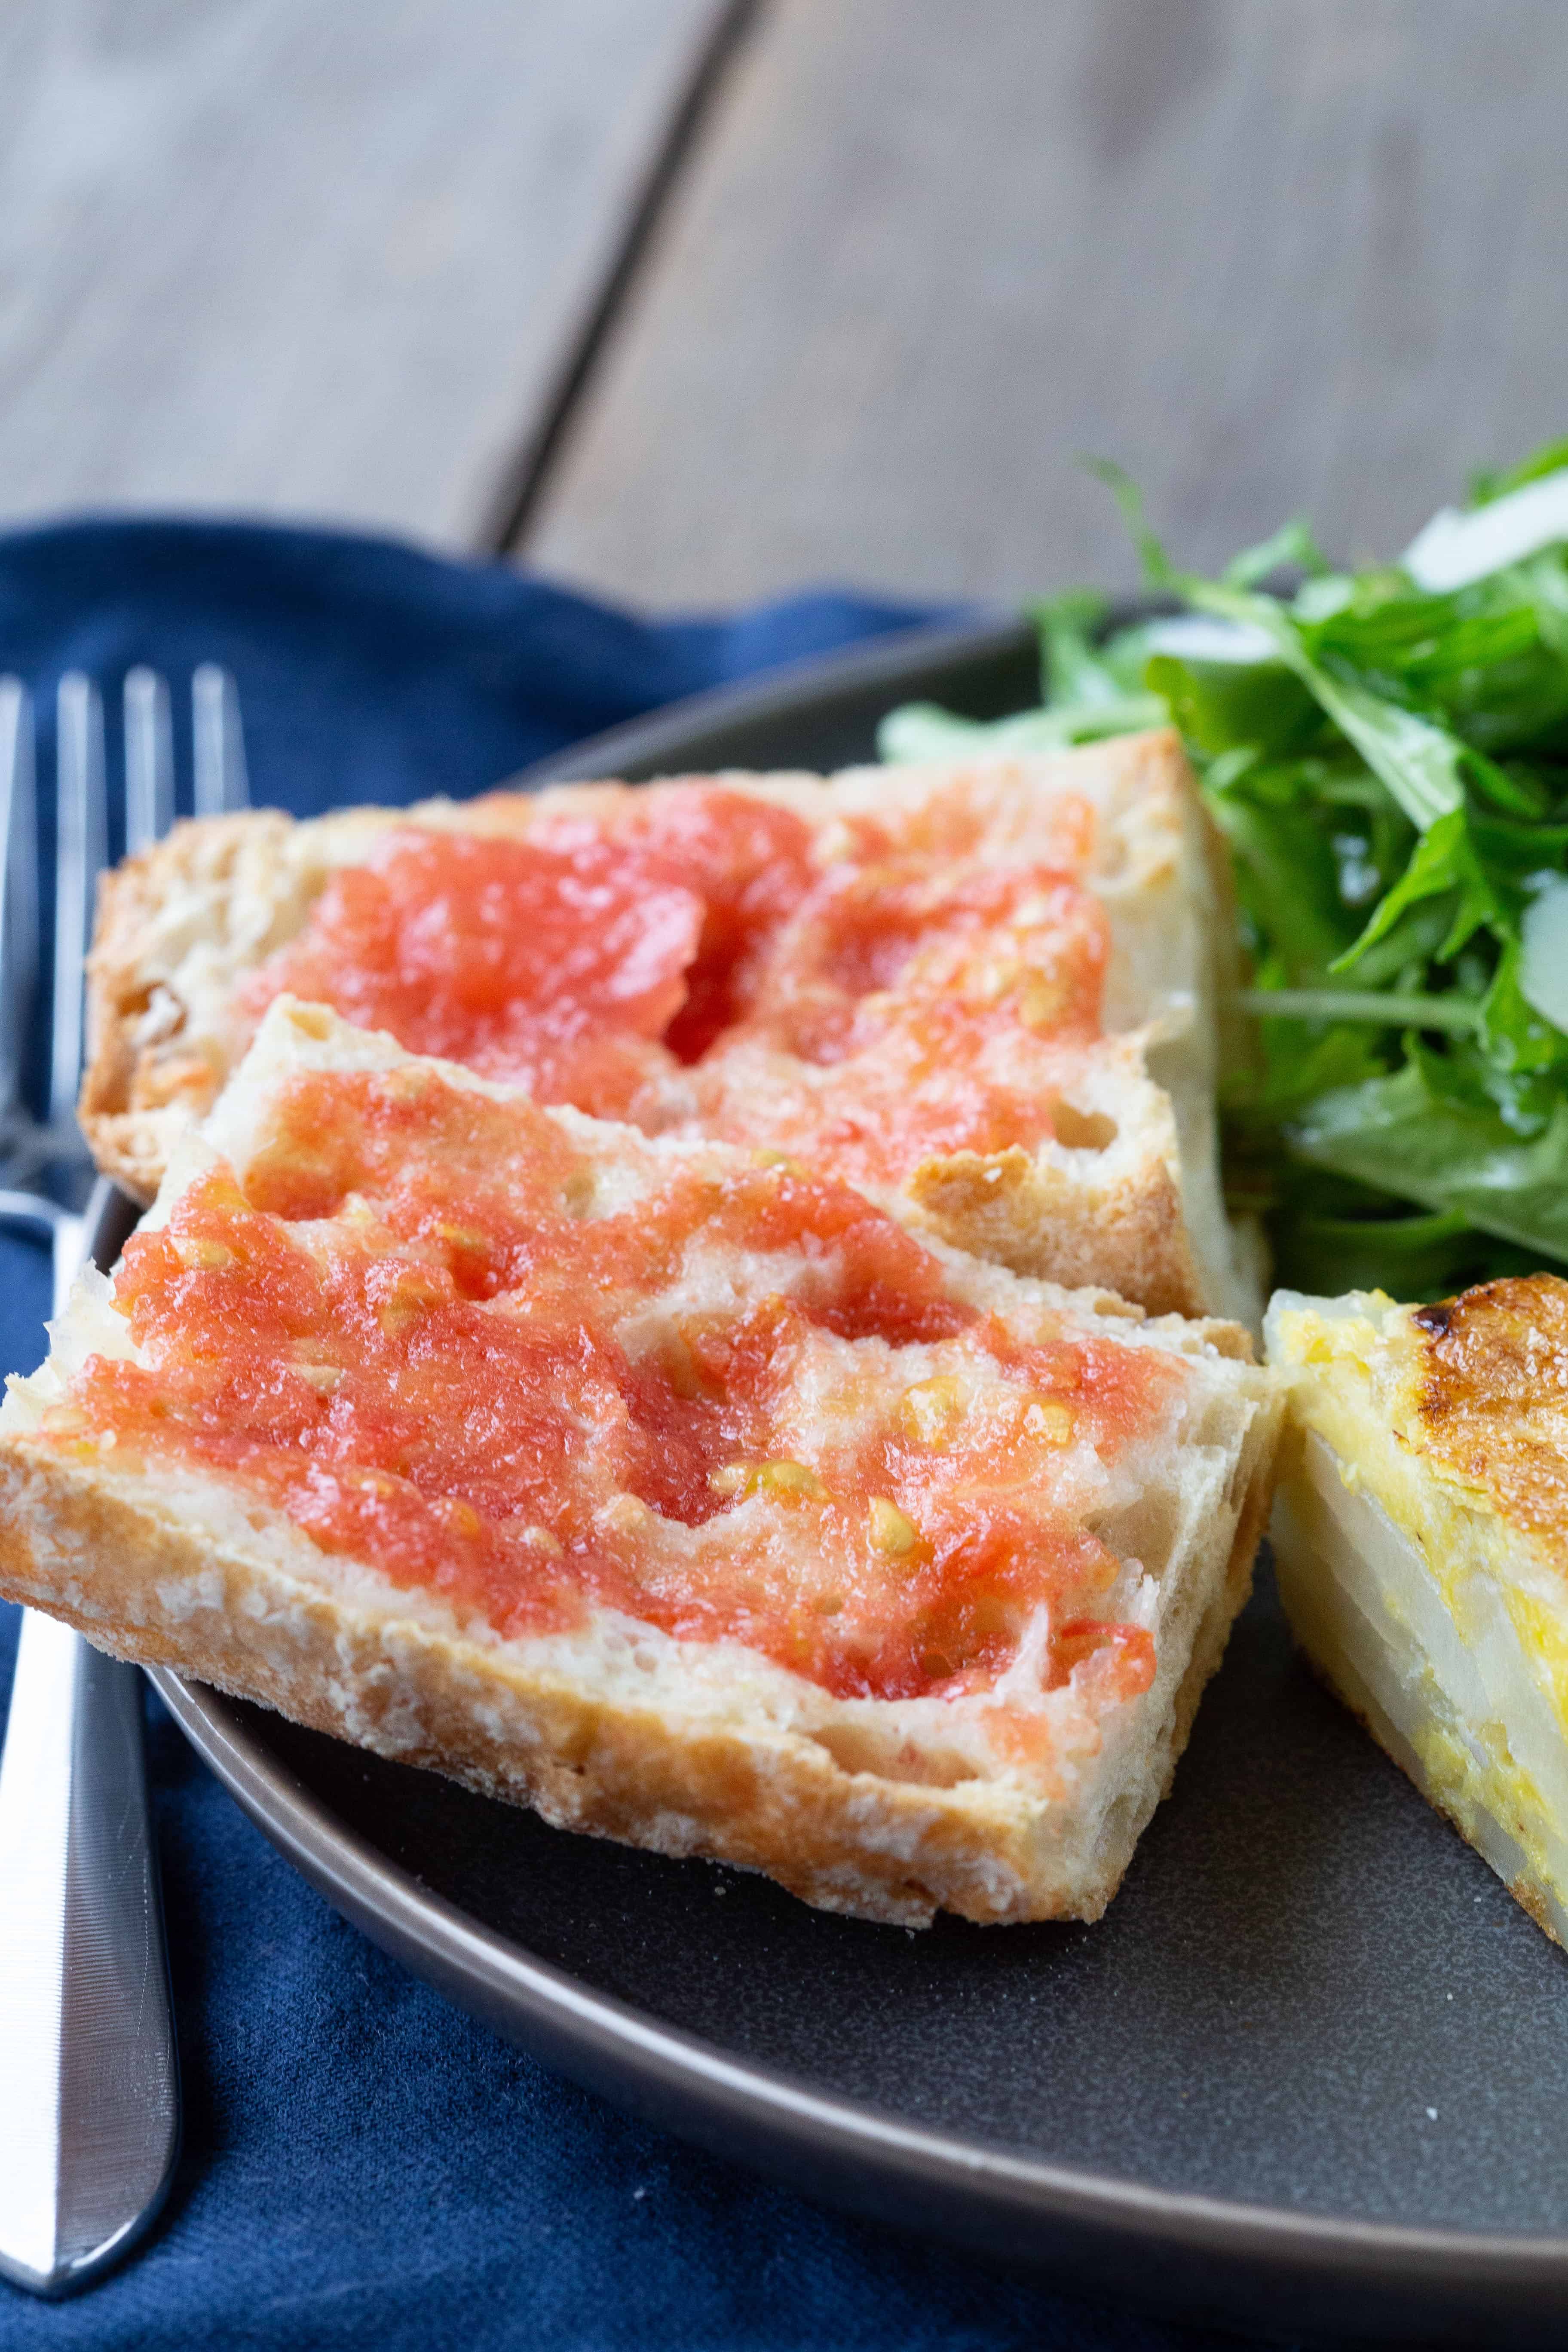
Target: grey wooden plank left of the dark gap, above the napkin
[[314, 260]]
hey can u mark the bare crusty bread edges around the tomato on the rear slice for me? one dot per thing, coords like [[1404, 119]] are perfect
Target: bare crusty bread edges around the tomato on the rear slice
[[182, 926]]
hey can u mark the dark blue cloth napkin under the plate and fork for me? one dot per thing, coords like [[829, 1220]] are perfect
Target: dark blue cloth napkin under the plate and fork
[[366, 2167]]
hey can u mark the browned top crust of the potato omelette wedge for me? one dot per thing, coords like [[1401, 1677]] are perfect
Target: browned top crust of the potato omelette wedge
[[1494, 1398]]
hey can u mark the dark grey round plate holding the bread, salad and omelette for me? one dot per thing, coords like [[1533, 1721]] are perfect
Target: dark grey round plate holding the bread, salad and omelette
[[1308, 2073]]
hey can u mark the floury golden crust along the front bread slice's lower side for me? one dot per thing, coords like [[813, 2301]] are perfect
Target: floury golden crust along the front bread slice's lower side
[[145, 1586]]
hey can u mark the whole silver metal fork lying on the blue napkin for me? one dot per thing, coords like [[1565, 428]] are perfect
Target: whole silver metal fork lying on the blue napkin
[[88, 2062]]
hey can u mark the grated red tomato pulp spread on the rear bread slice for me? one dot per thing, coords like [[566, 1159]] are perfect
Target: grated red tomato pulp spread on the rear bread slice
[[690, 965]]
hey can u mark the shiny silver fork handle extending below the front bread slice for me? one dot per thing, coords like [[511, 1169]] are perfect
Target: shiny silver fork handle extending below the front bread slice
[[88, 2062]]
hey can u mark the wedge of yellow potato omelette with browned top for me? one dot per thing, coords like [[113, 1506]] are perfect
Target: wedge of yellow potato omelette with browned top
[[1423, 1549]]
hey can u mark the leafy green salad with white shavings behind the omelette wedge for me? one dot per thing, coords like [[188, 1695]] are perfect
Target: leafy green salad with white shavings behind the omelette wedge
[[1386, 754]]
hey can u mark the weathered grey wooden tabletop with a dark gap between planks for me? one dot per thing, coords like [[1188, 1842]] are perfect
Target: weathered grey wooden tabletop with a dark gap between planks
[[702, 300]]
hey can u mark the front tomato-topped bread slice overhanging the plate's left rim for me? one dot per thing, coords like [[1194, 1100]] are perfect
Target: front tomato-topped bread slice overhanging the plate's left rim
[[683, 1497]]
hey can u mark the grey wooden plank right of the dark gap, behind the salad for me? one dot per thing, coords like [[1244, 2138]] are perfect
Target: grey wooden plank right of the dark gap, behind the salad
[[1268, 258]]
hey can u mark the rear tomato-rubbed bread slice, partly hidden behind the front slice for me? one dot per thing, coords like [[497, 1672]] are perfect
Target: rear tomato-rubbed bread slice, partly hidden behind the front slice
[[986, 994]]
